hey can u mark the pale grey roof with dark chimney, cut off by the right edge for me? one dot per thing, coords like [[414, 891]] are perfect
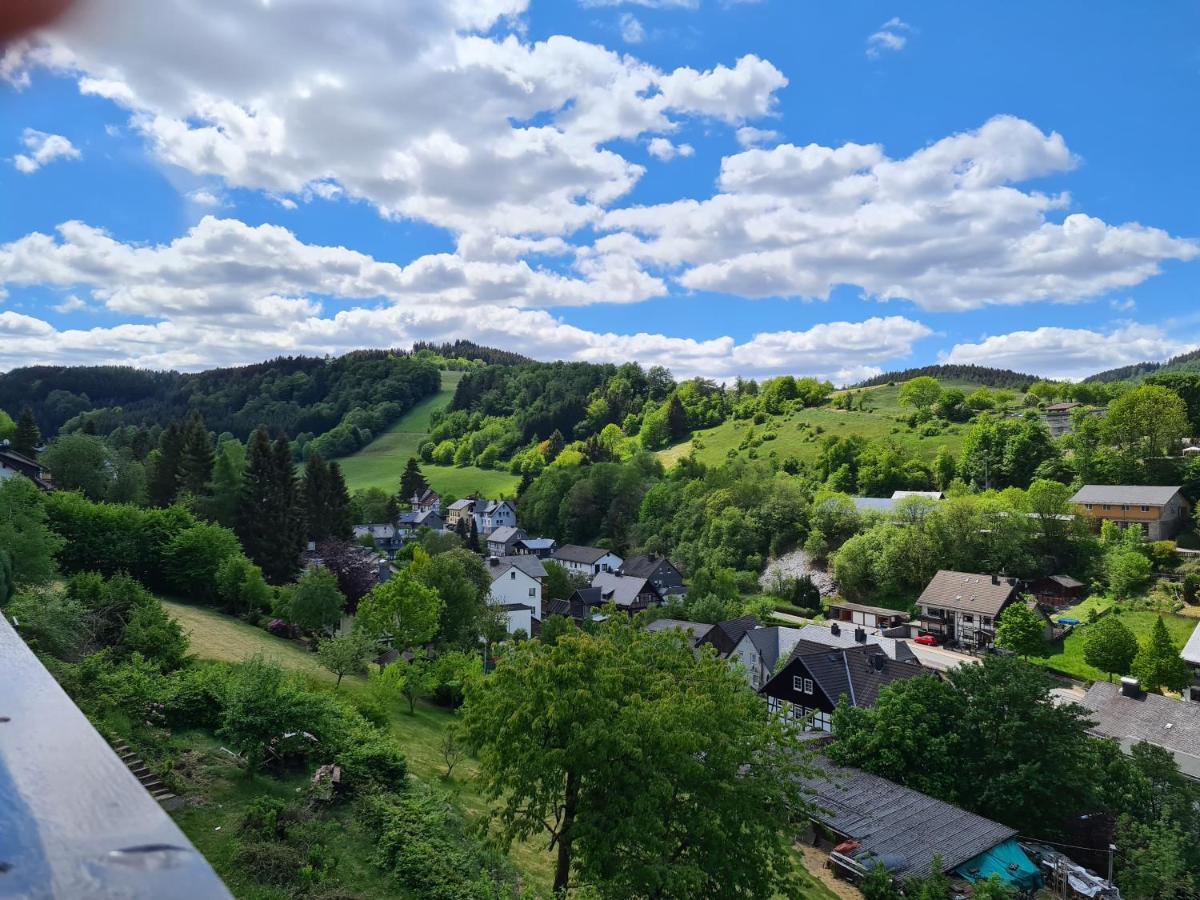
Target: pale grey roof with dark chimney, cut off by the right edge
[[1171, 724]]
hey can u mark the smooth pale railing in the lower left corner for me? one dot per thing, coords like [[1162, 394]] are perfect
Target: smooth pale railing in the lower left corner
[[75, 823]]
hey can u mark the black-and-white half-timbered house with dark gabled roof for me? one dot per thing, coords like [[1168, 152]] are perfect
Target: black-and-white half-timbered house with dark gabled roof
[[808, 687]]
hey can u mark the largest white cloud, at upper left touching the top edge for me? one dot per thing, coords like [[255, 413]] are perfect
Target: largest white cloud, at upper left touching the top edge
[[445, 115]]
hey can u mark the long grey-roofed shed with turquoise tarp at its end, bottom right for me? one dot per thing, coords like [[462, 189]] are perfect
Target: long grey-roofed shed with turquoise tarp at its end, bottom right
[[865, 821]]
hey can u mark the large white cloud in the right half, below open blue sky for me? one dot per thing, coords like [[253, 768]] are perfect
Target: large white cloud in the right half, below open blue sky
[[945, 227]]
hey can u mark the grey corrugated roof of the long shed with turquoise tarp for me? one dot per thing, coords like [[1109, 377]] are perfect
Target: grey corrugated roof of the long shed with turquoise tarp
[[892, 821]]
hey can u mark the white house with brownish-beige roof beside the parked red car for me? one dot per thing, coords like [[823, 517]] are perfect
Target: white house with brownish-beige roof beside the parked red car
[[963, 608]]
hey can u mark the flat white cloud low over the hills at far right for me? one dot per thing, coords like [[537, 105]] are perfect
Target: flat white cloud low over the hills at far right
[[1066, 352]]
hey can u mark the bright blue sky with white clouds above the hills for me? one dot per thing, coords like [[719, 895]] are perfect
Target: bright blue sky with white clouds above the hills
[[722, 188]]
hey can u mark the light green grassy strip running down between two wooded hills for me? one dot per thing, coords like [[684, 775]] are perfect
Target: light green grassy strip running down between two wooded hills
[[381, 463]]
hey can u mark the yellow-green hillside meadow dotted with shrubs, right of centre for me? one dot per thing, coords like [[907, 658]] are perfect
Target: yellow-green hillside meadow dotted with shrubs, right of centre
[[806, 445]]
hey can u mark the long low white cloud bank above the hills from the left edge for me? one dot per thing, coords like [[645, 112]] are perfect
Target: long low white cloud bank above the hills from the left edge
[[229, 293]]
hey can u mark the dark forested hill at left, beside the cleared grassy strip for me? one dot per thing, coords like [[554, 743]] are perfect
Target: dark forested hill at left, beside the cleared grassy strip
[[343, 399]]
